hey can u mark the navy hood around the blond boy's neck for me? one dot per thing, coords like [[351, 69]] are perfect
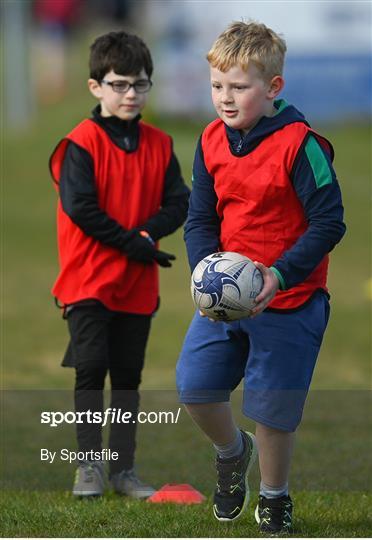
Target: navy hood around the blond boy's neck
[[241, 145]]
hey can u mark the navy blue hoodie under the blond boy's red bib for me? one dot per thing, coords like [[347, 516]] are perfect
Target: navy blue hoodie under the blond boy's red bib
[[321, 200]]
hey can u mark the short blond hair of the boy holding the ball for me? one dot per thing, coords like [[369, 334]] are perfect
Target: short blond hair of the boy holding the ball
[[245, 42]]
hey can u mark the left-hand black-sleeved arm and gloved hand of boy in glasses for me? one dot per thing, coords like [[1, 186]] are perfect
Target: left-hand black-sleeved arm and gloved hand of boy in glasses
[[79, 201]]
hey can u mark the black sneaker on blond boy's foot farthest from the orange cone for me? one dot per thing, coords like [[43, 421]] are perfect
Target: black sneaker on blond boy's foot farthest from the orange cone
[[274, 516]]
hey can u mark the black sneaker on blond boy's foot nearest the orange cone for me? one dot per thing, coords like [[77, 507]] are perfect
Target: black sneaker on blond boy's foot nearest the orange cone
[[232, 491]]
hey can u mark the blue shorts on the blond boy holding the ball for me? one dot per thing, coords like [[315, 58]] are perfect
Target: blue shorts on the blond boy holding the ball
[[275, 353]]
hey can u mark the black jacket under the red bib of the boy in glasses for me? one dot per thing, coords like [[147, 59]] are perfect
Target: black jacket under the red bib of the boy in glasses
[[79, 197]]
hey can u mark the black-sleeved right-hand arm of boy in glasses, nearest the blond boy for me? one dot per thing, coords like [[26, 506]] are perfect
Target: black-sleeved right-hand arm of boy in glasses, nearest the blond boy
[[174, 204]]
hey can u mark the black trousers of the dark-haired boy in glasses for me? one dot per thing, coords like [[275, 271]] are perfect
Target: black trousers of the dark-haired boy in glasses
[[104, 341]]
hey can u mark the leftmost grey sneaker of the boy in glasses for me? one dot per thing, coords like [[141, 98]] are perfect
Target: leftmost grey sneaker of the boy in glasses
[[89, 479]]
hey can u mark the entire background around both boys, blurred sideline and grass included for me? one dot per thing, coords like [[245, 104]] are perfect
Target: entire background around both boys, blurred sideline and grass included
[[44, 72]]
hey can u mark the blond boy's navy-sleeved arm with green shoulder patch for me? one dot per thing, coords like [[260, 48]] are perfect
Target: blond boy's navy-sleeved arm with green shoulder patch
[[316, 185]]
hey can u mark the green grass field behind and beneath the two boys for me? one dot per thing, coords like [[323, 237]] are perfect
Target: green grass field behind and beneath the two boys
[[333, 462]]
